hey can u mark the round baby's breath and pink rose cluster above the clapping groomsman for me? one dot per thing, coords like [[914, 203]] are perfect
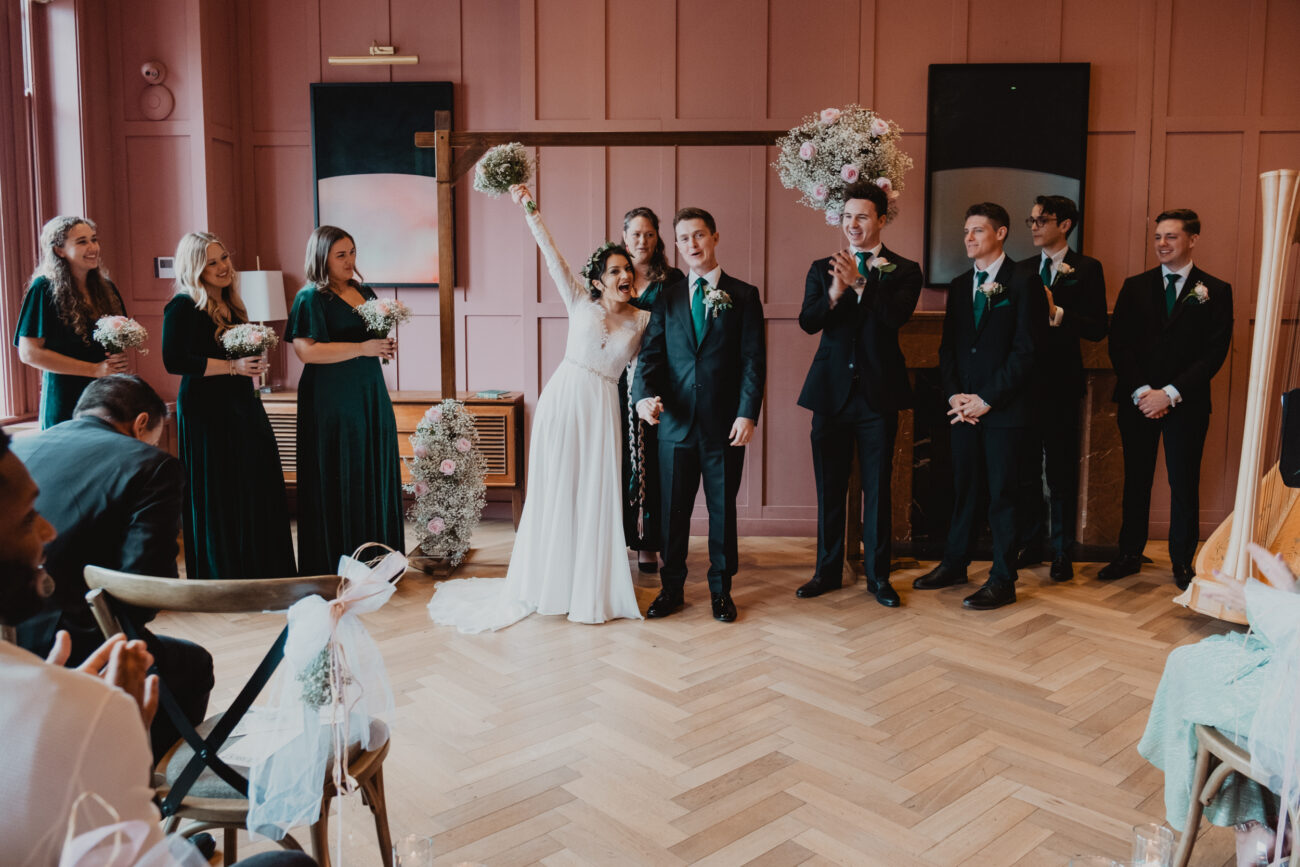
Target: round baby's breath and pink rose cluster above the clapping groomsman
[[837, 148]]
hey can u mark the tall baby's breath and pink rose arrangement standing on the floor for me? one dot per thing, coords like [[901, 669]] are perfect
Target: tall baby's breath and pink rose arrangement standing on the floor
[[448, 482]]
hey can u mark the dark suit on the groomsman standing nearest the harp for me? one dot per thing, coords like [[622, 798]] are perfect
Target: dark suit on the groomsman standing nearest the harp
[[1185, 350]]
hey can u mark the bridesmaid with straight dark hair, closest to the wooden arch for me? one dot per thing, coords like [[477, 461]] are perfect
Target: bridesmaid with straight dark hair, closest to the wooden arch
[[349, 471]]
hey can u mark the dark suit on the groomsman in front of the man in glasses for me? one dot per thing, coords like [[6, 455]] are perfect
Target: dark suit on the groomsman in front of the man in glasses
[[994, 361]]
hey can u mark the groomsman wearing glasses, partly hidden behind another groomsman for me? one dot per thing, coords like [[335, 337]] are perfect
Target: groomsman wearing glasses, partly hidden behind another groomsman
[[1076, 292]]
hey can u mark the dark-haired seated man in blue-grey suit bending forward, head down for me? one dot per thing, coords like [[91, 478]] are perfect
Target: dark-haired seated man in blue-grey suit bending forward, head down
[[115, 500]]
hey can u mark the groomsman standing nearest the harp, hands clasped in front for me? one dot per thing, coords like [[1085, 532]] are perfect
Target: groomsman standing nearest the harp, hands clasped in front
[[1169, 336]]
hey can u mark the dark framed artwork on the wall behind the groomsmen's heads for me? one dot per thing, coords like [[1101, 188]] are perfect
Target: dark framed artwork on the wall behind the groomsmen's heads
[[1002, 133]]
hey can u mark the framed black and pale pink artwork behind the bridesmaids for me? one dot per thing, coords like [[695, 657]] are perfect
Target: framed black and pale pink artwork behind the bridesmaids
[[374, 183]]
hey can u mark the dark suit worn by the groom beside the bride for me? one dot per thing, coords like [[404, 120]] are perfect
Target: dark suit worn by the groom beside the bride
[[704, 388]]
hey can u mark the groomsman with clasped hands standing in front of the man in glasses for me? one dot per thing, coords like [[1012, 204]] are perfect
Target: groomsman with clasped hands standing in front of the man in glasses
[[993, 328]]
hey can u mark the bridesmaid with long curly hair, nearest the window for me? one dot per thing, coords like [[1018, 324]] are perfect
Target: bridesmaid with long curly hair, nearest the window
[[67, 294]]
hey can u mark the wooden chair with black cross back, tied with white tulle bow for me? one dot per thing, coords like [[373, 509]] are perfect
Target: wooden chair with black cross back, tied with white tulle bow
[[197, 784]]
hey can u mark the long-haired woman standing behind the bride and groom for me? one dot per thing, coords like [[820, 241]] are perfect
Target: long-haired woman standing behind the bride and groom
[[640, 441]]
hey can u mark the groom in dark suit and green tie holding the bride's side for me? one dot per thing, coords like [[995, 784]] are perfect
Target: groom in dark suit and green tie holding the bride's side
[[701, 375]]
